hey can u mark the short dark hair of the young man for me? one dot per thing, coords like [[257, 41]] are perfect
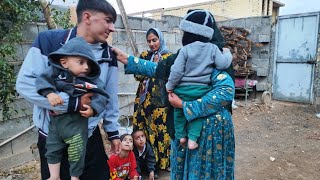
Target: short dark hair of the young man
[[97, 6]]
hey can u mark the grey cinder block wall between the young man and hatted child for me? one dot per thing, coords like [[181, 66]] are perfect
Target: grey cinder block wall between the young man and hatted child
[[168, 25]]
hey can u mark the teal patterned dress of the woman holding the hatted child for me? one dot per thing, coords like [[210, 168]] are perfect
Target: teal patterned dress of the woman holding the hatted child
[[214, 159]]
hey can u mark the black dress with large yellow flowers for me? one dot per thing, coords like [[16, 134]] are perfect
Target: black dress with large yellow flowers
[[151, 114]]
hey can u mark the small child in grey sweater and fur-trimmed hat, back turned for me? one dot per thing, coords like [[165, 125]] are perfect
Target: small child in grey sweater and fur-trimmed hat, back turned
[[190, 75]]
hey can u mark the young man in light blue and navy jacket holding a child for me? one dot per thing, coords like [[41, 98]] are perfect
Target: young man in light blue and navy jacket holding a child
[[95, 22]]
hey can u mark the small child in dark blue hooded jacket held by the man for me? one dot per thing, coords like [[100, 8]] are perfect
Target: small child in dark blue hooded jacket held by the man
[[74, 71]]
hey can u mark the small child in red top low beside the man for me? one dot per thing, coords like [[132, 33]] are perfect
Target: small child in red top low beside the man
[[123, 165]]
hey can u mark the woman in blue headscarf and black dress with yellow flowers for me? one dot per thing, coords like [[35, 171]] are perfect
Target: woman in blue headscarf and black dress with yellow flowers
[[150, 108]]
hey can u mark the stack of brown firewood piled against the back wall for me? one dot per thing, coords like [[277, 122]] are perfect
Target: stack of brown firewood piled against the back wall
[[236, 40]]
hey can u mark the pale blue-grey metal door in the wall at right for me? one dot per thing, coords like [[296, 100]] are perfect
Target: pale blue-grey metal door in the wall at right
[[295, 55]]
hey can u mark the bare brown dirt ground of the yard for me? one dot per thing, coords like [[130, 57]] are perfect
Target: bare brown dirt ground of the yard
[[276, 141]]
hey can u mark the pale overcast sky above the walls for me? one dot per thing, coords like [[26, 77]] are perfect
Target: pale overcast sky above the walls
[[131, 6]]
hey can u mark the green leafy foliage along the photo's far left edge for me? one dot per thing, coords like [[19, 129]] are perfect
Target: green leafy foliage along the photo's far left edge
[[14, 14]]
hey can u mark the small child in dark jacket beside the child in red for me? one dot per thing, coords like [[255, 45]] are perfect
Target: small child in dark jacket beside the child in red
[[143, 151]]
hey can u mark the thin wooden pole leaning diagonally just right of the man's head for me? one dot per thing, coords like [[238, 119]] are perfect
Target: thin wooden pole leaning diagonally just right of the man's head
[[128, 30]]
